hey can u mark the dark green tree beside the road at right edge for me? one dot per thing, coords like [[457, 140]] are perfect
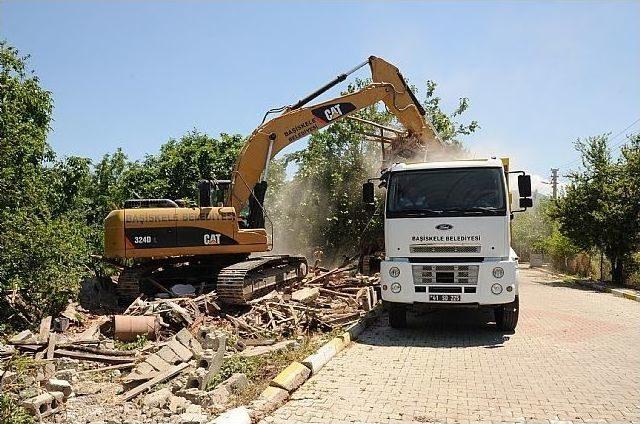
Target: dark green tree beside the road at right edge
[[601, 207]]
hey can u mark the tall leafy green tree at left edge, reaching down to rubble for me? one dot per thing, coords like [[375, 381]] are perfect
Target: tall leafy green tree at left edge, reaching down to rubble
[[43, 247]]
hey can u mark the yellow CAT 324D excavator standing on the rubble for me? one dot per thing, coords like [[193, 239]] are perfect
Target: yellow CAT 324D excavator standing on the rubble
[[216, 244]]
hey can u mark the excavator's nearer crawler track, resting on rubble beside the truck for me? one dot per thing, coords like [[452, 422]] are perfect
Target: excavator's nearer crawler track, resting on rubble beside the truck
[[255, 277]]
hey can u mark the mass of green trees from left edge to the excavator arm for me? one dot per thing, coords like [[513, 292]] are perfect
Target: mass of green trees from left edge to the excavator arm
[[52, 210]]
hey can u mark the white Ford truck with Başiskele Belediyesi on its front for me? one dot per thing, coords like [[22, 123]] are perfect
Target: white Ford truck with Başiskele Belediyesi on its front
[[448, 237]]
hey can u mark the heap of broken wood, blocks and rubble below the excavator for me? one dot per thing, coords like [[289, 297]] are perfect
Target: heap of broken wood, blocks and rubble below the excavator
[[164, 353]]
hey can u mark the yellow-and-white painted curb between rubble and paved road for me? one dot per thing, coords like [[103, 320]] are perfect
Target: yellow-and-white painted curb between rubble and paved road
[[297, 373]]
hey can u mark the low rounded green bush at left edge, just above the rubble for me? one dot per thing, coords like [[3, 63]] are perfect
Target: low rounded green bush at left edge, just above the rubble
[[41, 262]]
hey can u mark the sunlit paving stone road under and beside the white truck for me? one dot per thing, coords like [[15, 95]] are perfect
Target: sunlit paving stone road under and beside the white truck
[[575, 357]]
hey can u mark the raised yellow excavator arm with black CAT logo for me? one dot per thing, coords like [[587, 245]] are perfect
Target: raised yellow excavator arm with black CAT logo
[[298, 121]]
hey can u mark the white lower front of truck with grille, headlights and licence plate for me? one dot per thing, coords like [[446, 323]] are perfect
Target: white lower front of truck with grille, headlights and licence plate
[[433, 283]]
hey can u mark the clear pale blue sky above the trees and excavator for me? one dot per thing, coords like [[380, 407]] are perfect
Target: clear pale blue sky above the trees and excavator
[[538, 75]]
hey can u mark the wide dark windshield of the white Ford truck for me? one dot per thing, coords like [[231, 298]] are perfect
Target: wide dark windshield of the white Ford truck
[[446, 192]]
